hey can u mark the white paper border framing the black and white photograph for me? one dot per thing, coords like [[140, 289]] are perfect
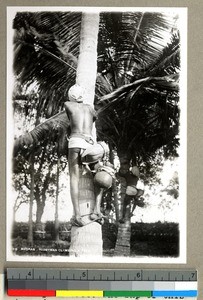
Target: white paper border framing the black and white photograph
[[182, 11]]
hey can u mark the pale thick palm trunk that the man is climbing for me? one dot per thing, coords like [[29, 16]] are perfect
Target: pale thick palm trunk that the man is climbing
[[87, 240]]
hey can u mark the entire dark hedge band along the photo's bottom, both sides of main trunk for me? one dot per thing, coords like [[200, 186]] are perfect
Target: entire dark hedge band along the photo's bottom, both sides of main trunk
[[153, 239]]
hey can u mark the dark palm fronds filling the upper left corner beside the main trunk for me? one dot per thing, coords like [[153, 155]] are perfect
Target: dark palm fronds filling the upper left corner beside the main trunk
[[47, 55]]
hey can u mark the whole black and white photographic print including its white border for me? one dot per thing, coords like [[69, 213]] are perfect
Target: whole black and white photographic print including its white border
[[96, 134]]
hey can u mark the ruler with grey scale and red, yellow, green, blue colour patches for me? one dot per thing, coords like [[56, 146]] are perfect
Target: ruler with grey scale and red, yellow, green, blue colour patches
[[101, 283]]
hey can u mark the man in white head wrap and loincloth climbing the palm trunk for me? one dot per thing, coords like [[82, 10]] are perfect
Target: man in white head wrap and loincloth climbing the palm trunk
[[81, 118]]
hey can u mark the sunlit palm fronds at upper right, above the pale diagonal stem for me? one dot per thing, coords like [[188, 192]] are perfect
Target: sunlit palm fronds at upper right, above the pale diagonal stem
[[136, 41]]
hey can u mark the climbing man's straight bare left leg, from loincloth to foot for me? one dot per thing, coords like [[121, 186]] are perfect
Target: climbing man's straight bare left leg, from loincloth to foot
[[73, 161]]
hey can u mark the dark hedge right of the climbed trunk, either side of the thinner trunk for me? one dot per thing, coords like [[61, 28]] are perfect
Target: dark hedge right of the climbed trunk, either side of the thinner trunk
[[154, 239]]
